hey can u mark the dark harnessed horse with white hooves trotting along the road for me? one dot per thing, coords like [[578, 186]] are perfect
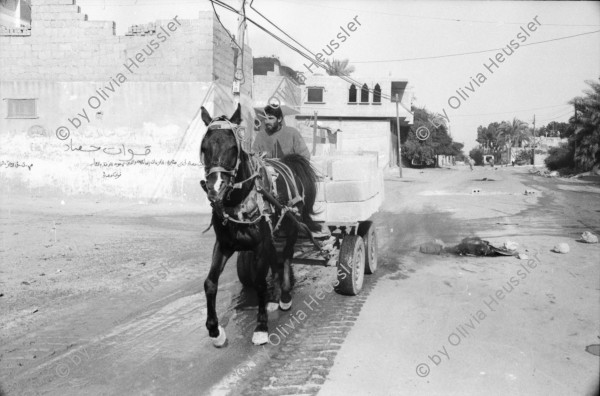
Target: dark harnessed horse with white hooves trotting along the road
[[248, 207]]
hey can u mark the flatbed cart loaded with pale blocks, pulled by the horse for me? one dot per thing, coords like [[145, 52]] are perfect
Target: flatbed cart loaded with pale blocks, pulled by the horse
[[347, 198]]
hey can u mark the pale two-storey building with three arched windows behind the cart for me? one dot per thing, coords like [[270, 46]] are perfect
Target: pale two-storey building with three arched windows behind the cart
[[352, 118]]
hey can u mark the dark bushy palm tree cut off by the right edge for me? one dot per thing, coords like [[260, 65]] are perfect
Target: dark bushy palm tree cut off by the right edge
[[587, 127]]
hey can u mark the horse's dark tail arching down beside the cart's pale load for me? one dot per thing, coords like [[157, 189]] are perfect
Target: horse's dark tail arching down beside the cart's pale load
[[307, 176]]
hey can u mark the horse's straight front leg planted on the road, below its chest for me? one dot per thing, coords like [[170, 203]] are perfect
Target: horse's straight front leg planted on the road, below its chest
[[263, 255]]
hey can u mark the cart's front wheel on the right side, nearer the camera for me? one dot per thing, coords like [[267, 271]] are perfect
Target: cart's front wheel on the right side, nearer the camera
[[351, 266]]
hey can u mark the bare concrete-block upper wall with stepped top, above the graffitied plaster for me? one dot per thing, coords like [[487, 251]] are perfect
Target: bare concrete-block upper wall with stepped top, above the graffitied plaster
[[65, 46]]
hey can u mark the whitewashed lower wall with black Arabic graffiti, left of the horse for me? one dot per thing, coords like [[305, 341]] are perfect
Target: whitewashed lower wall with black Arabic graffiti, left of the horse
[[148, 156]]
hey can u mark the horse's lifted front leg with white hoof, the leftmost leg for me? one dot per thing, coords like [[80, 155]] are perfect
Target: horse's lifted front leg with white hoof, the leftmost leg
[[211, 285]]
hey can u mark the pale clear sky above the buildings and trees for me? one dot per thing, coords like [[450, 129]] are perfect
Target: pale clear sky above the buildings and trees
[[536, 79]]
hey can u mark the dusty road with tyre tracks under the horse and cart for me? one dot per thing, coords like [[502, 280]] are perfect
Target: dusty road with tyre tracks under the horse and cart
[[103, 297]]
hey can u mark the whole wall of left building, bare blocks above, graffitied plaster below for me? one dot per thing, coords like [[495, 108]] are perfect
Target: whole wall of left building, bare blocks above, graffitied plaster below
[[103, 124]]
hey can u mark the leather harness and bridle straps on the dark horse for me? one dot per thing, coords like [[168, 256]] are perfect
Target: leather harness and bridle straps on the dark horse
[[265, 172]]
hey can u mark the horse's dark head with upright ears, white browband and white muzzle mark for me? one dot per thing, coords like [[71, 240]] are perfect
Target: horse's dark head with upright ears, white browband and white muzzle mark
[[220, 152]]
